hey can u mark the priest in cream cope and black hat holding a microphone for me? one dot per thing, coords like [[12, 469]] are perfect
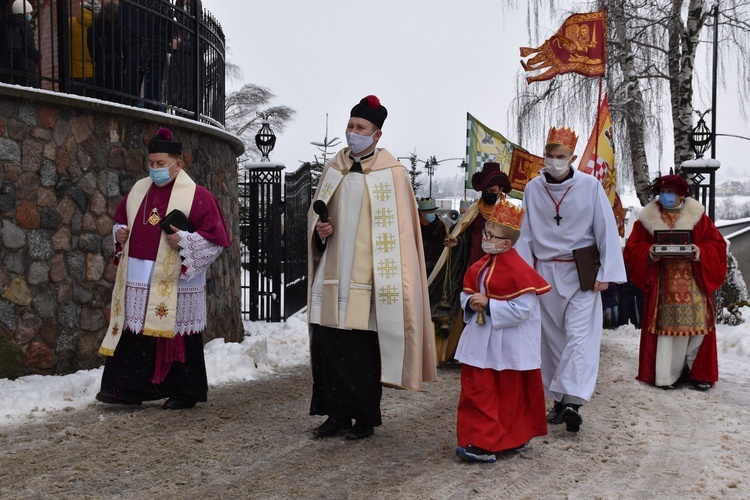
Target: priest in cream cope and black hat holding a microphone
[[368, 304]]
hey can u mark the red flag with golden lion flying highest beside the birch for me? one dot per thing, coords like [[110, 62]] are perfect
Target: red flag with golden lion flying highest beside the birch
[[578, 46]]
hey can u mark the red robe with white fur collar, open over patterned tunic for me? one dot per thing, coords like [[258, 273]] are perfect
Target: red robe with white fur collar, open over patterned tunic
[[709, 273]]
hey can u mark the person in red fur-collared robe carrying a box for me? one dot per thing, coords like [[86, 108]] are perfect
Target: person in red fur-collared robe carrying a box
[[678, 332]]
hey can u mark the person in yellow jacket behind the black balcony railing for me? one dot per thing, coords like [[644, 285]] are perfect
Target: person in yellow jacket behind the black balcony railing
[[81, 64]]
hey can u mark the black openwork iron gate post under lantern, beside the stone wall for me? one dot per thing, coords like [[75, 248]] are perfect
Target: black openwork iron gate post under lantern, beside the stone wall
[[260, 236]]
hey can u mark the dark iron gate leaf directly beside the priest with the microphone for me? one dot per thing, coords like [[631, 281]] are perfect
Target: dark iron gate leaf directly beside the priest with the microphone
[[298, 195]]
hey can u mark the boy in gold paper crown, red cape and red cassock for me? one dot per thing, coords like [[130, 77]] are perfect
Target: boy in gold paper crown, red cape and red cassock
[[502, 404]]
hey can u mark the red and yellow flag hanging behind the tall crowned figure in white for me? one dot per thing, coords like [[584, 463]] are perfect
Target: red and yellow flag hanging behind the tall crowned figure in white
[[598, 158]]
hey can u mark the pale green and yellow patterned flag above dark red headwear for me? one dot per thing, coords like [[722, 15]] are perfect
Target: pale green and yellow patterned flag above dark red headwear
[[485, 145]]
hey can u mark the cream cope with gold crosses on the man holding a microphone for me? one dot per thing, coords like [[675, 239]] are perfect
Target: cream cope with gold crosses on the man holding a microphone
[[388, 269]]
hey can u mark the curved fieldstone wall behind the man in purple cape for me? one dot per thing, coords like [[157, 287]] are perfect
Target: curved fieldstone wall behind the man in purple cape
[[65, 165]]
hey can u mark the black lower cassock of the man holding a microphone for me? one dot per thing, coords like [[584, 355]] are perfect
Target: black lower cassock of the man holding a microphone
[[346, 374]]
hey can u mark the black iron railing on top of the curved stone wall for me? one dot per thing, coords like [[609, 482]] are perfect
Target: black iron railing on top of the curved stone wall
[[163, 55]]
